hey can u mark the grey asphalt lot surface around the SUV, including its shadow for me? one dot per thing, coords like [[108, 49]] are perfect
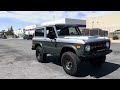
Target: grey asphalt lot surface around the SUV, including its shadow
[[17, 61]]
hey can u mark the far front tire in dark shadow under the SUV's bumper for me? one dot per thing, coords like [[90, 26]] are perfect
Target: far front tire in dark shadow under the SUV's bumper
[[99, 61]]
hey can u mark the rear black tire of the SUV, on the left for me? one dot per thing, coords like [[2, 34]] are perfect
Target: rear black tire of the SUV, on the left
[[41, 57]]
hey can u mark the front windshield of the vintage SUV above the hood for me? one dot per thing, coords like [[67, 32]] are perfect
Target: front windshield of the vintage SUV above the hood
[[67, 30]]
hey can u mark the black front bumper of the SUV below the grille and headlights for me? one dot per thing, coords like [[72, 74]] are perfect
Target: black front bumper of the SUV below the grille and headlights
[[98, 54]]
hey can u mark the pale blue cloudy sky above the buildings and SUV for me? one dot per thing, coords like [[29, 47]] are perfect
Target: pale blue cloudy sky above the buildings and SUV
[[20, 19]]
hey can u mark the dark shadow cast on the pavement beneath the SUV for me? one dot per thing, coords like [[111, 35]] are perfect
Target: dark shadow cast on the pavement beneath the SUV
[[87, 69]]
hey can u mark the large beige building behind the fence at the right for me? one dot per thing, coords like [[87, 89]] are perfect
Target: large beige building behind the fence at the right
[[106, 22]]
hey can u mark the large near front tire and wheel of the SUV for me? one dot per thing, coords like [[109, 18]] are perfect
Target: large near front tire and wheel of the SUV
[[70, 63]]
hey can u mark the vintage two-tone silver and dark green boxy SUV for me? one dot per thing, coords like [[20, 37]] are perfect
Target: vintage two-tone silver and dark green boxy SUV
[[66, 41]]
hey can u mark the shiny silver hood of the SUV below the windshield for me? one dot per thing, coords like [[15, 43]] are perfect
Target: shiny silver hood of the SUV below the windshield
[[87, 38]]
